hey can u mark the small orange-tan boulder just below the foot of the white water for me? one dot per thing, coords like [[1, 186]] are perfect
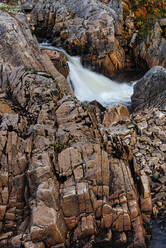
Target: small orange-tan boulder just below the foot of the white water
[[115, 114]]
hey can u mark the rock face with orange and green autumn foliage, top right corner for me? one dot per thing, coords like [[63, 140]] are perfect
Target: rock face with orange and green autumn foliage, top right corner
[[144, 33]]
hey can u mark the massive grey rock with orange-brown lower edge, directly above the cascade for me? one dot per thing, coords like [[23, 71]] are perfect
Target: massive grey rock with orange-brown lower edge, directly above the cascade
[[86, 28]]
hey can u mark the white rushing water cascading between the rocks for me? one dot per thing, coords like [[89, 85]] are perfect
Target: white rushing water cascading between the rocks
[[89, 86]]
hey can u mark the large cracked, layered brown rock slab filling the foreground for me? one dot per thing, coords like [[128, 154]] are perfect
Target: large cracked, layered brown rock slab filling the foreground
[[62, 179]]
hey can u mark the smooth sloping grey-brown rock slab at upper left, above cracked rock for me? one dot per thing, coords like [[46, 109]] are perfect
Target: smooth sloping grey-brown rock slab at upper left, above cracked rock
[[28, 51]]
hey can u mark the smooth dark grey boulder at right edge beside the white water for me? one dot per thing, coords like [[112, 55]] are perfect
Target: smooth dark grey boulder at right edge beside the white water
[[150, 91]]
